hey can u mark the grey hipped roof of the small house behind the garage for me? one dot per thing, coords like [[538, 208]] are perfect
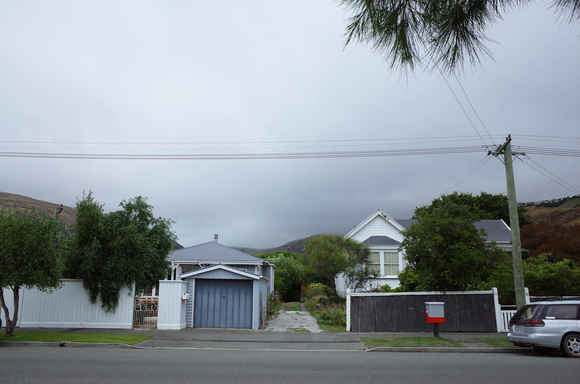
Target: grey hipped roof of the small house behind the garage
[[213, 252]]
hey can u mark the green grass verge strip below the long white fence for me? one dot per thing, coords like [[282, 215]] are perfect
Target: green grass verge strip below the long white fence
[[77, 337]]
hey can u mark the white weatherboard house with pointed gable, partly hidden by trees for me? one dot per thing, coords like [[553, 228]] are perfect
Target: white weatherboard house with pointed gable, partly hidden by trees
[[383, 235]]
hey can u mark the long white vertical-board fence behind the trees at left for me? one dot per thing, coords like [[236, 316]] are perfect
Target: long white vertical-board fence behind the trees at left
[[70, 307]]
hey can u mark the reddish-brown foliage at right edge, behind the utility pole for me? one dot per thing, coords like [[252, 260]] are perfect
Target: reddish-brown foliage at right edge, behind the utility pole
[[560, 241]]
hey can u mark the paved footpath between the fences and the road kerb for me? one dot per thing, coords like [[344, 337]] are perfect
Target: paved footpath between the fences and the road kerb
[[236, 339]]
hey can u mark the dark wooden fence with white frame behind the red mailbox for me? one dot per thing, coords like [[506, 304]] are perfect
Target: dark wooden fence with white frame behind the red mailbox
[[464, 312]]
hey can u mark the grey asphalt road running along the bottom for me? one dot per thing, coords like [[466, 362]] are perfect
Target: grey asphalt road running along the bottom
[[47, 365]]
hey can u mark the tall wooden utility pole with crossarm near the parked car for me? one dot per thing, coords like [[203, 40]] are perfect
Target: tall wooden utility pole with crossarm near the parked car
[[506, 150]]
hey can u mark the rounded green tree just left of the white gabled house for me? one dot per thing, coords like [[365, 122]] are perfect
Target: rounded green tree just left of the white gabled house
[[330, 255]]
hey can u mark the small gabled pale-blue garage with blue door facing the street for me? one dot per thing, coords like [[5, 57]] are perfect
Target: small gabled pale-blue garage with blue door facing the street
[[225, 297]]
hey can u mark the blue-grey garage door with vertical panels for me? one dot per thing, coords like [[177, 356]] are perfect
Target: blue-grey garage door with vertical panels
[[223, 304]]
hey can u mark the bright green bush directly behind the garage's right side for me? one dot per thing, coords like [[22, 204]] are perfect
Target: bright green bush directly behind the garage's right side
[[289, 273]]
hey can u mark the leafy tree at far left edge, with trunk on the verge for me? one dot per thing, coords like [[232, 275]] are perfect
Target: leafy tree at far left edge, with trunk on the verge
[[29, 255]]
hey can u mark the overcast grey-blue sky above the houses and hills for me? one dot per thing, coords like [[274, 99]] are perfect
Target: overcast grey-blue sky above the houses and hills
[[193, 81]]
